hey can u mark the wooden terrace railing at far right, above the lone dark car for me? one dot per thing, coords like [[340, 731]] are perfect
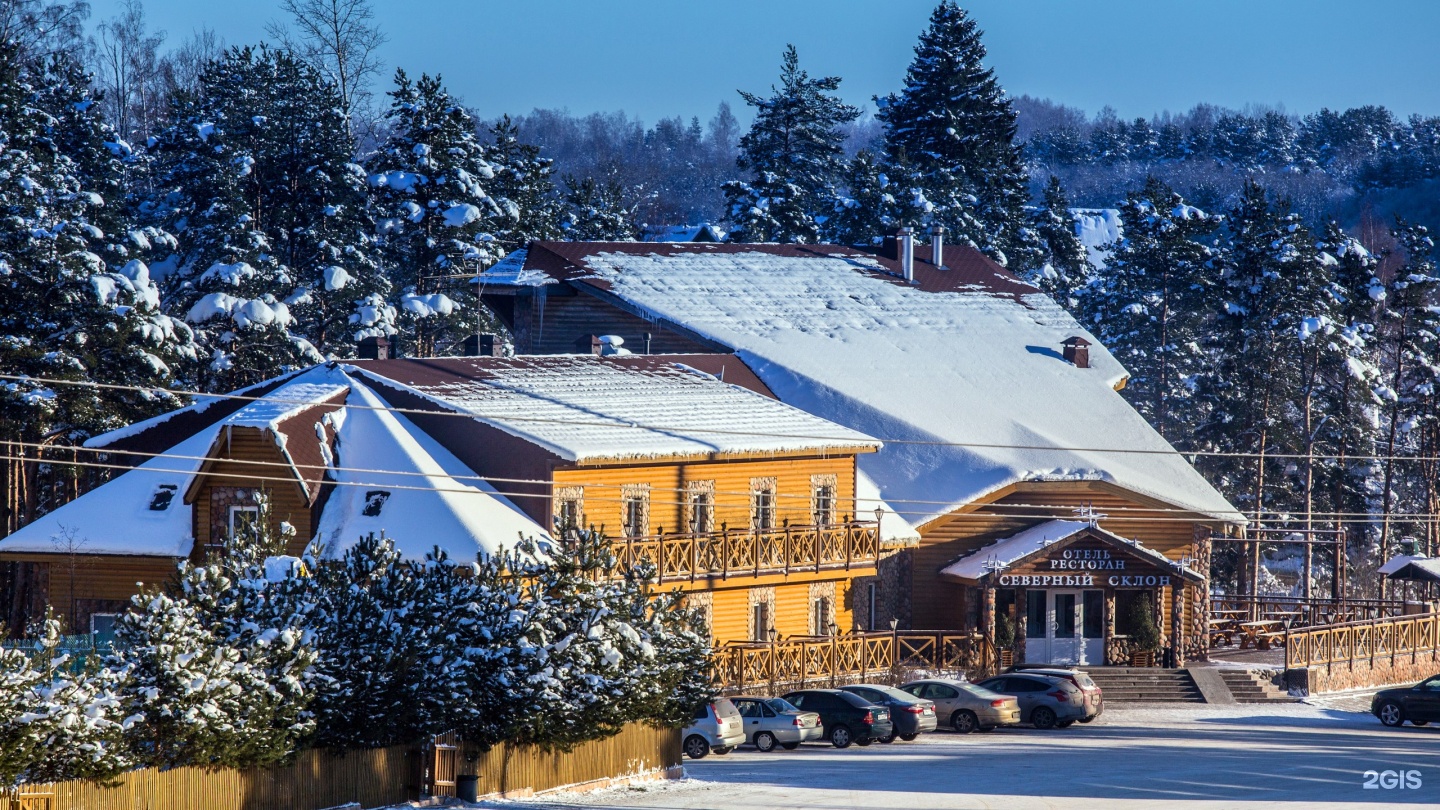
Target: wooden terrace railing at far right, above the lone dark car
[[1372, 641]]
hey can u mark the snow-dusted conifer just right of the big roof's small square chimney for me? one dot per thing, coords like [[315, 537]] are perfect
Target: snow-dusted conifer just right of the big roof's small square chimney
[[1148, 306]]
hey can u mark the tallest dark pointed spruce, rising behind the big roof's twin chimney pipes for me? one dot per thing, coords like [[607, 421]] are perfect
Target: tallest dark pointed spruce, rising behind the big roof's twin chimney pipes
[[954, 129]]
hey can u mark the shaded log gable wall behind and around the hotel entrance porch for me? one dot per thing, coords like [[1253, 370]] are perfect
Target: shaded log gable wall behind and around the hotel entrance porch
[[938, 605]]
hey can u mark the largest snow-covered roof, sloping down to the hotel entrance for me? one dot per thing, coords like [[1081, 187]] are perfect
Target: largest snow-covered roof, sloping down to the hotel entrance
[[961, 374]]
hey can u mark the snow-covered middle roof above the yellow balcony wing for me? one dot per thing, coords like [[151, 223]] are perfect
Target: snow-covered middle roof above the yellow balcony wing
[[588, 409]]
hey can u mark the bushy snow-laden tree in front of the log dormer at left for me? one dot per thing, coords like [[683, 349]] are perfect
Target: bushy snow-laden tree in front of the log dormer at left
[[220, 667]]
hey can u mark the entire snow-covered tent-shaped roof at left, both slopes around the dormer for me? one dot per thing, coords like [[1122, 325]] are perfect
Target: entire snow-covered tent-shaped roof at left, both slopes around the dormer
[[431, 499]]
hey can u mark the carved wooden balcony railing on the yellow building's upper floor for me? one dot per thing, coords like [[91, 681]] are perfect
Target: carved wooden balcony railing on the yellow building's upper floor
[[737, 553]]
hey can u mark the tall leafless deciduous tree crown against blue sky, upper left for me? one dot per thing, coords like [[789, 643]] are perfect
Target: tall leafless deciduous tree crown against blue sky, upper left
[[341, 40]]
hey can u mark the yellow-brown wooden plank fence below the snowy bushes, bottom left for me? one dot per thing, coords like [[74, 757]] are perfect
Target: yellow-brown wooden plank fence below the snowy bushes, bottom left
[[371, 779]]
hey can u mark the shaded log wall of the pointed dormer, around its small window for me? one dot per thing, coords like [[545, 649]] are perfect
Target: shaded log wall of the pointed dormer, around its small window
[[286, 497]]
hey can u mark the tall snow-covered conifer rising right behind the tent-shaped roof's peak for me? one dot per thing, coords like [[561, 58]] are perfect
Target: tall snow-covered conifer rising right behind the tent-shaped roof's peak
[[437, 223]]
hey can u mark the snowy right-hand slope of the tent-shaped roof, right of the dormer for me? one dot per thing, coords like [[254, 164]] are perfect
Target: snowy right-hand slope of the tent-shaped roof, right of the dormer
[[413, 489]]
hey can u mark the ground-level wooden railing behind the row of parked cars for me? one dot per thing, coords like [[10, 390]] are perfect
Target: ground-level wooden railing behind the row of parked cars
[[827, 661]]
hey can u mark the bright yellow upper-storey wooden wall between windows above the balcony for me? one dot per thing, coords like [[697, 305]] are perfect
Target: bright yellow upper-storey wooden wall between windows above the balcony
[[732, 486]]
